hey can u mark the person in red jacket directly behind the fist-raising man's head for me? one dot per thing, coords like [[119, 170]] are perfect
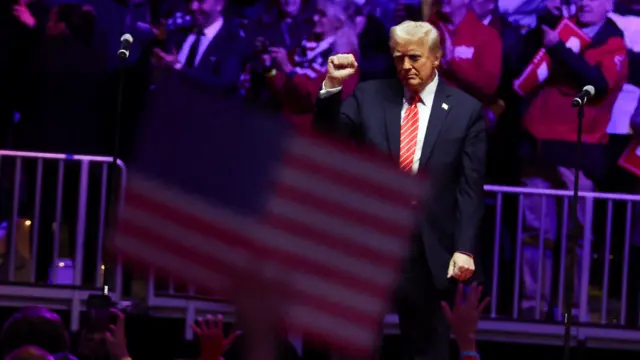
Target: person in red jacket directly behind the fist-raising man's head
[[471, 50]]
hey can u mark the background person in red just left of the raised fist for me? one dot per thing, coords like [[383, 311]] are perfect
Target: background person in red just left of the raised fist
[[296, 79]]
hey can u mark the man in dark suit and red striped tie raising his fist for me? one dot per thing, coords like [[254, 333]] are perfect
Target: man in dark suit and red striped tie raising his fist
[[427, 127]]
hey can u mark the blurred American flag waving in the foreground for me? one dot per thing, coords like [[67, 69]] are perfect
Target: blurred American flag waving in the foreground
[[327, 223]]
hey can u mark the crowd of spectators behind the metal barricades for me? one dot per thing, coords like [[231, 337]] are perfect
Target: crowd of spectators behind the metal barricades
[[61, 77]]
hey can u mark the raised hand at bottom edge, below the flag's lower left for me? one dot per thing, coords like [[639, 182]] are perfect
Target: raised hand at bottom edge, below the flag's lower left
[[211, 337]]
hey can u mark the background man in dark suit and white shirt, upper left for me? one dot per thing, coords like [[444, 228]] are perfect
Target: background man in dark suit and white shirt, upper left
[[214, 52]]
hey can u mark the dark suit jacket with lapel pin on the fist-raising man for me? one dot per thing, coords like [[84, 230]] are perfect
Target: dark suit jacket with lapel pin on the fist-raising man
[[453, 157]]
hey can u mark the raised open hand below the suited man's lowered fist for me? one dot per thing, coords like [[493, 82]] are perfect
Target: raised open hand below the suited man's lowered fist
[[464, 317]]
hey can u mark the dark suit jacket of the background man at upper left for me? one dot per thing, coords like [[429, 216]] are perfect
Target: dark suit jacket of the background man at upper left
[[223, 61]]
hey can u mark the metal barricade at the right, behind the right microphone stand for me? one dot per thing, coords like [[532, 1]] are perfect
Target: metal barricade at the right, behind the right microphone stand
[[596, 230]]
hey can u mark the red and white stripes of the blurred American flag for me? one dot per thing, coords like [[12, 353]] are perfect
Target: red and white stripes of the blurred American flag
[[333, 235]]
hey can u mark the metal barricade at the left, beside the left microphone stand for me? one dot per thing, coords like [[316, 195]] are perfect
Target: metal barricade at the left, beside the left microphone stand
[[45, 190]]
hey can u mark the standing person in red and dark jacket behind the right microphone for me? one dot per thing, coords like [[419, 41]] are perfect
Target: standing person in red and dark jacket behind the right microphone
[[552, 122]]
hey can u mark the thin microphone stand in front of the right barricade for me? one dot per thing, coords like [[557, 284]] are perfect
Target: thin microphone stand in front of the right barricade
[[573, 240]]
